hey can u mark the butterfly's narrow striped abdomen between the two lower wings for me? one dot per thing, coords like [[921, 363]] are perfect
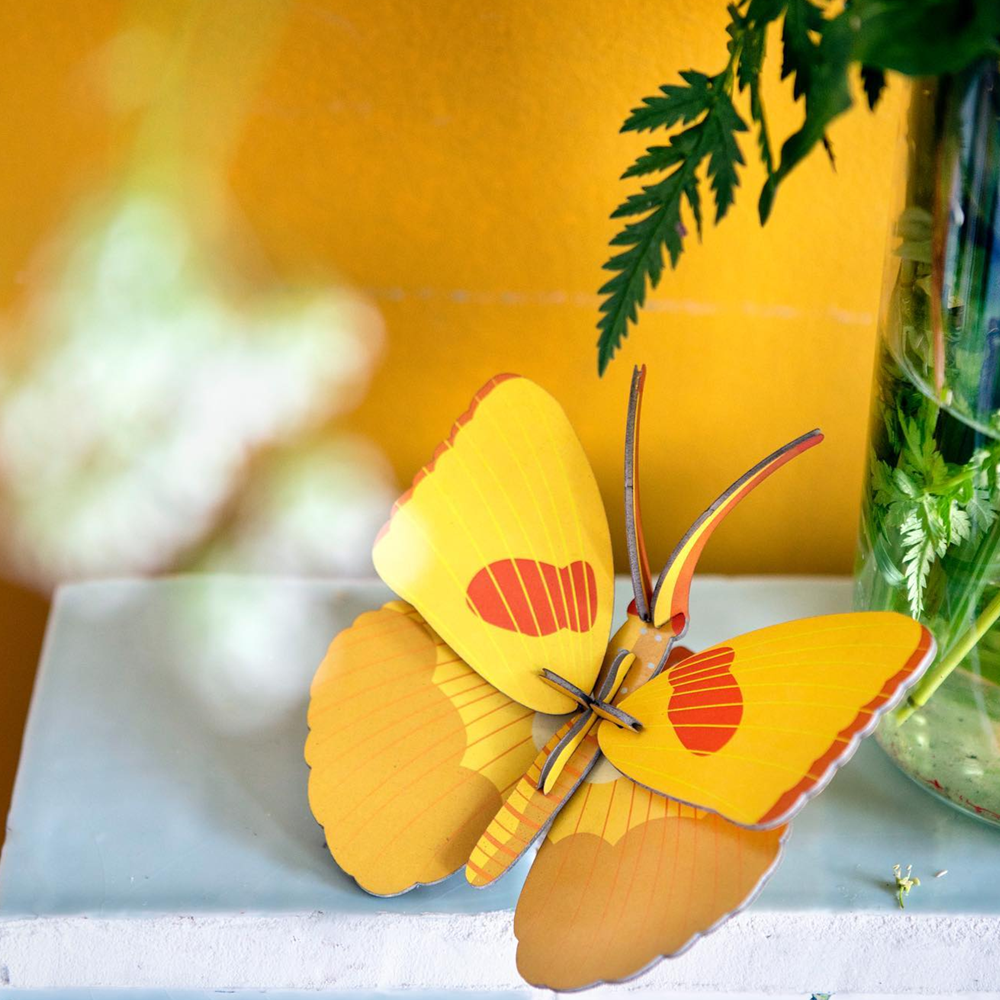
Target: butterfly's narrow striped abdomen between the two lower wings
[[527, 810]]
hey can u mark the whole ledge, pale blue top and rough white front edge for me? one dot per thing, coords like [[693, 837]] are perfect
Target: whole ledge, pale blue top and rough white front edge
[[160, 838]]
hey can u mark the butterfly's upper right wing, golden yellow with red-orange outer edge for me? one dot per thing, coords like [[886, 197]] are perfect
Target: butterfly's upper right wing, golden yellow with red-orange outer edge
[[756, 726]]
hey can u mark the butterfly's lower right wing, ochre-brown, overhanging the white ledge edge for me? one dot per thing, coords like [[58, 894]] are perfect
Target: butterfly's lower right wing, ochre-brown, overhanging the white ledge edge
[[626, 876]]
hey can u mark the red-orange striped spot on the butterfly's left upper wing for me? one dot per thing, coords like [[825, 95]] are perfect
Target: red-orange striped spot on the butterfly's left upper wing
[[535, 598]]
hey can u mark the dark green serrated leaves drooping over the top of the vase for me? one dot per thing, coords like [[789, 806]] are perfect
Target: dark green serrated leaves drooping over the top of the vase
[[822, 43]]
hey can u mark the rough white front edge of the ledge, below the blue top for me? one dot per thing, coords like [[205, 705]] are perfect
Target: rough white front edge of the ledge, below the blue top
[[764, 953]]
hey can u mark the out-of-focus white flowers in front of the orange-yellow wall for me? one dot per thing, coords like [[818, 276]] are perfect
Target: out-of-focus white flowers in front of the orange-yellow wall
[[154, 377]]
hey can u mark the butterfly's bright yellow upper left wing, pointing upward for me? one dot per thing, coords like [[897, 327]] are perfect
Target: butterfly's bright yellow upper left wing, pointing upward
[[503, 545]]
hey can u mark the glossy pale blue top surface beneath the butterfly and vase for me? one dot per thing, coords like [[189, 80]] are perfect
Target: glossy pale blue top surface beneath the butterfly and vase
[[162, 769]]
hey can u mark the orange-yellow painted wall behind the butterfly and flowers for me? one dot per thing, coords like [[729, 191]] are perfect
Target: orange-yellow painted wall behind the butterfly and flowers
[[458, 161]]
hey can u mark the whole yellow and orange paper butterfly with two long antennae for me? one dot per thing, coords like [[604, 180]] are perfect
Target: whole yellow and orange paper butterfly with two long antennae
[[486, 711]]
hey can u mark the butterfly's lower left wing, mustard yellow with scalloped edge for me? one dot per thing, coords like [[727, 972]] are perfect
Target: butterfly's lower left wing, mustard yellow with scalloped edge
[[412, 752]]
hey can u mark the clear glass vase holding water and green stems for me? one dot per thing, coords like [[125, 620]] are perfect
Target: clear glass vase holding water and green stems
[[930, 525]]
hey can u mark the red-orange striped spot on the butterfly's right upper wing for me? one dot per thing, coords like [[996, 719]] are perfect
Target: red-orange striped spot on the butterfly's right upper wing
[[706, 705]]
